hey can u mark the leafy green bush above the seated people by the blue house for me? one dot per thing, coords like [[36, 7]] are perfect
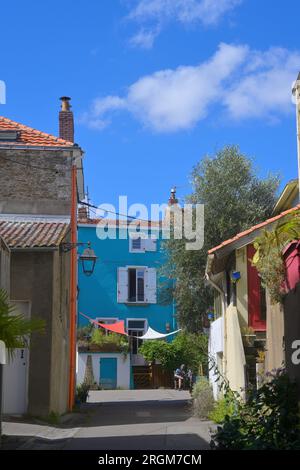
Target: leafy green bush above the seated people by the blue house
[[187, 348]]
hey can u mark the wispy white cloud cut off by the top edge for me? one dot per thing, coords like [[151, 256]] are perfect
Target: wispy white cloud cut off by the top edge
[[157, 13]]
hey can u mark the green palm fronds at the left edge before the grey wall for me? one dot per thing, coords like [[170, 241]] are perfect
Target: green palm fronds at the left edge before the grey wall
[[14, 328]]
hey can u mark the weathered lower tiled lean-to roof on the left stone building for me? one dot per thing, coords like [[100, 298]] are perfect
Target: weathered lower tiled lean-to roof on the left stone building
[[21, 234]]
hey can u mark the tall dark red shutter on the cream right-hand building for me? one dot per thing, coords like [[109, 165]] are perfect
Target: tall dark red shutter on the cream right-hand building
[[254, 294]]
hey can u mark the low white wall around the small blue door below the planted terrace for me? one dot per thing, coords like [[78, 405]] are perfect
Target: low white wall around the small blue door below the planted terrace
[[123, 367]]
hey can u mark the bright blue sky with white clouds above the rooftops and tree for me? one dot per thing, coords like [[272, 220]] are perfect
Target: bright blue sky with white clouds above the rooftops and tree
[[156, 84]]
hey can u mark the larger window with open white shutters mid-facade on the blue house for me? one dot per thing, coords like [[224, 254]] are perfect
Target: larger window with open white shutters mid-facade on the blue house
[[136, 284]]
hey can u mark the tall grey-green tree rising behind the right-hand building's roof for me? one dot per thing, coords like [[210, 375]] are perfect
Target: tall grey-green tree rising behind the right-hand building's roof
[[235, 199]]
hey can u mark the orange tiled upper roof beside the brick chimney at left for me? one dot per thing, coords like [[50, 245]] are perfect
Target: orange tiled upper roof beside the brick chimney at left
[[29, 136]]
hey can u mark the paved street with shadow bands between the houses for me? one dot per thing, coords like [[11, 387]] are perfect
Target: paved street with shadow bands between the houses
[[118, 419]]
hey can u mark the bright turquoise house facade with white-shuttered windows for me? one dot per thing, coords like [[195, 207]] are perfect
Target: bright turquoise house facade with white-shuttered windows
[[126, 283]]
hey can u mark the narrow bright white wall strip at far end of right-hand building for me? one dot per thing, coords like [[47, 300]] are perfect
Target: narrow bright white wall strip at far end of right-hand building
[[215, 346]]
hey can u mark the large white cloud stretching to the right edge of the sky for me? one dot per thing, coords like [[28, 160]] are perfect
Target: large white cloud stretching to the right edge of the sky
[[236, 82]]
